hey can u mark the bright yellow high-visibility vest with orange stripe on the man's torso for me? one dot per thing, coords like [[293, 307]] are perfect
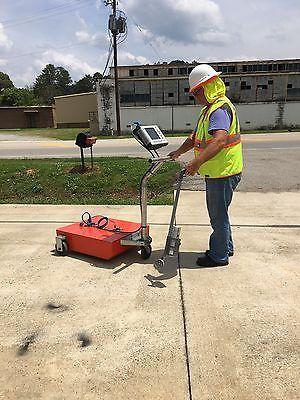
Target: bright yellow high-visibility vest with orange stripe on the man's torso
[[229, 161]]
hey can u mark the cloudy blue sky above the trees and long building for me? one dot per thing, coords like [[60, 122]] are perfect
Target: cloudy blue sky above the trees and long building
[[73, 33]]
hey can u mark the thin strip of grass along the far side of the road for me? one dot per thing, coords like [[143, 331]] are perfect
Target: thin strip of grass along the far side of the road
[[71, 133]]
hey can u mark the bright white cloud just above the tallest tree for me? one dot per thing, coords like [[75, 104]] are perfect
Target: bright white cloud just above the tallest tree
[[69, 61]]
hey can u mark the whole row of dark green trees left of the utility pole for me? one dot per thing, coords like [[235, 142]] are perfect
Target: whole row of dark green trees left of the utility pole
[[52, 81]]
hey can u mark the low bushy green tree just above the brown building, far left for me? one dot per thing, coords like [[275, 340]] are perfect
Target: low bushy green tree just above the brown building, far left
[[17, 97]]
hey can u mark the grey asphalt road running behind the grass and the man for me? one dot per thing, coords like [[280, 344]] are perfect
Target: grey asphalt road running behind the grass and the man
[[272, 161]]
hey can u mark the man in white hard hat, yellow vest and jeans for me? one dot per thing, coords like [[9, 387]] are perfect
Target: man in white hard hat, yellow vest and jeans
[[218, 157]]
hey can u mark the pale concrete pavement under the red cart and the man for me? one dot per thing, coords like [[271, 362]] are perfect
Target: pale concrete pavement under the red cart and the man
[[80, 328]]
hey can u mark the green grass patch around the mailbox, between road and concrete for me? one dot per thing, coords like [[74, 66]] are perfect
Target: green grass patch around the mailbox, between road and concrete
[[113, 181]]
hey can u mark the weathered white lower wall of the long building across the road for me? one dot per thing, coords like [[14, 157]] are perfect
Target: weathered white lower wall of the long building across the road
[[184, 118]]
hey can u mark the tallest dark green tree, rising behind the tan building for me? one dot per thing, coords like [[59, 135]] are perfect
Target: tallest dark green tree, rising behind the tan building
[[53, 81]]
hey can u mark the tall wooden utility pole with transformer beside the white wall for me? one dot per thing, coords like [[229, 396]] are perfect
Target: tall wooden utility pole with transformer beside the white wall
[[115, 28]]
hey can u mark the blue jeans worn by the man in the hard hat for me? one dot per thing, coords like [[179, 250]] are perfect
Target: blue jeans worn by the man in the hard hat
[[219, 194]]
